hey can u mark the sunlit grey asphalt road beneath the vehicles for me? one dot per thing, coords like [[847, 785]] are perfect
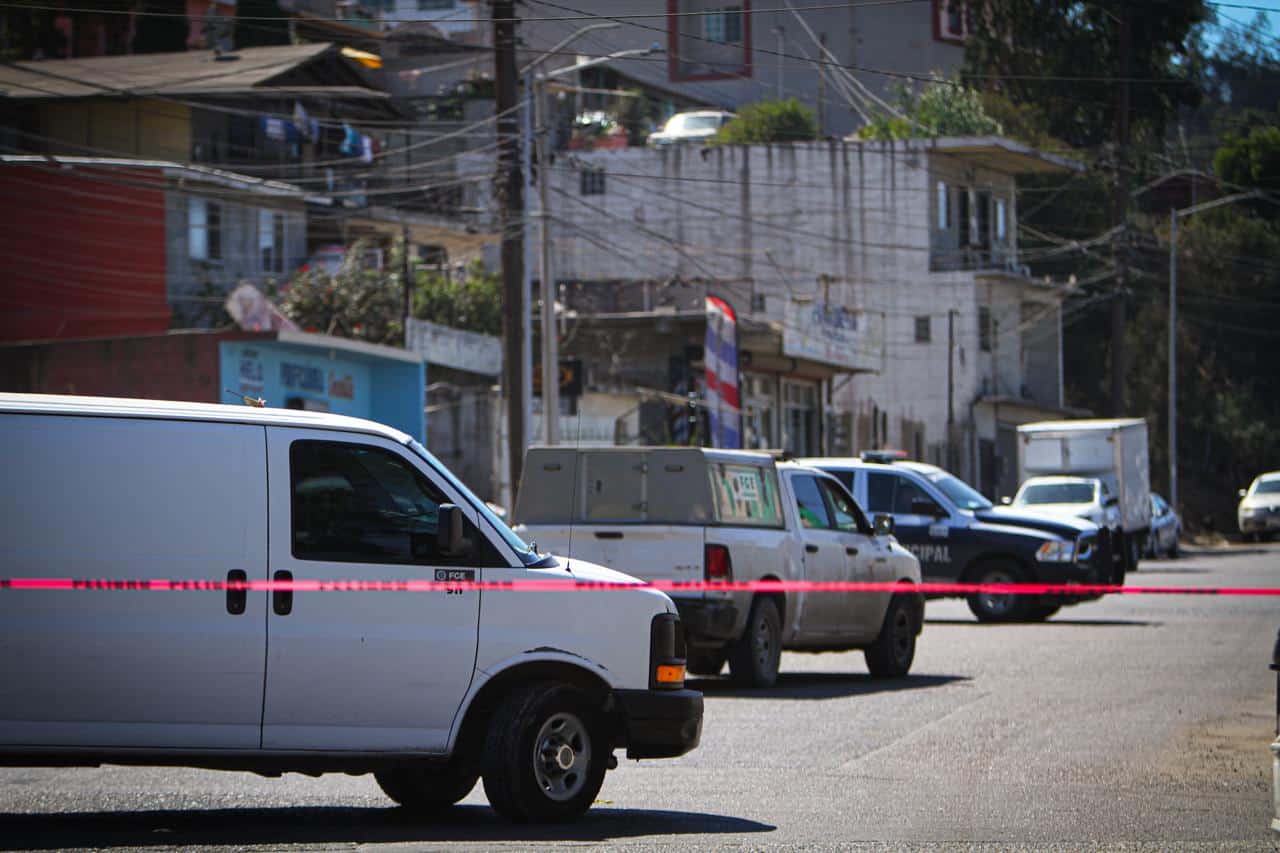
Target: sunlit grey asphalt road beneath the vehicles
[[1139, 722]]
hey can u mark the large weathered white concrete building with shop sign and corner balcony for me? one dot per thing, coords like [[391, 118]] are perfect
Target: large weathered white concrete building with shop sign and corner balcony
[[879, 289]]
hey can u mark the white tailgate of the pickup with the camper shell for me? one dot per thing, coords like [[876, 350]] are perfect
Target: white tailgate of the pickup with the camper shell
[[648, 551]]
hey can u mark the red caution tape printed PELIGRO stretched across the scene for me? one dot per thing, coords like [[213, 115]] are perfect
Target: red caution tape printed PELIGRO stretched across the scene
[[569, 585]]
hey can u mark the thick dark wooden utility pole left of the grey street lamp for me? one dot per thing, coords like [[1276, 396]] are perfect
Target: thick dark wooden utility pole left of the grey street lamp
[[511, 195]]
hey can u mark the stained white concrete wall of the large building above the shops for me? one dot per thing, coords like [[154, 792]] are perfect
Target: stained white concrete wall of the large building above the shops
[[845, 222]]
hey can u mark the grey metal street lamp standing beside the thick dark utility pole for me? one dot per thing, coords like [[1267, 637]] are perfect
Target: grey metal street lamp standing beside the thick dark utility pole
[[551, 345]]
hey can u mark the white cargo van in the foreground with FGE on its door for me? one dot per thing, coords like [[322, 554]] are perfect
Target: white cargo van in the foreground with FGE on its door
[[532, 691]]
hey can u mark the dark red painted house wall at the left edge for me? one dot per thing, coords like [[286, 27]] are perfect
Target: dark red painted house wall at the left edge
[[83, 253]]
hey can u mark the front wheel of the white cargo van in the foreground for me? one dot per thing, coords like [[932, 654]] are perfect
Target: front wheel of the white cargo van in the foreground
[[546, 755]]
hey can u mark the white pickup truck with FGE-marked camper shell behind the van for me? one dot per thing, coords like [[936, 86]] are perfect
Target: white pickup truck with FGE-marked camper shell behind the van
[[691, 514]]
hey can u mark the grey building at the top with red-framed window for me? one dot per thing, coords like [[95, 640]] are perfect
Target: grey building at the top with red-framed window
[[726, 53]]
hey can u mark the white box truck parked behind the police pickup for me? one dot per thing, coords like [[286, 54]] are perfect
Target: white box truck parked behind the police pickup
[[1107, 459]]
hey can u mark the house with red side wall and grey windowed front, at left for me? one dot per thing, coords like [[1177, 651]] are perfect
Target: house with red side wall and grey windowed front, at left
[[107, 248]]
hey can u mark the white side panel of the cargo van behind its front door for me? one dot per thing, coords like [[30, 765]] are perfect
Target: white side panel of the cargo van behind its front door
[[131, 499]]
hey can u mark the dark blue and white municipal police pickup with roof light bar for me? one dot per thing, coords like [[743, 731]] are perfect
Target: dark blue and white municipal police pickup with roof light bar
[[961, 537]]
